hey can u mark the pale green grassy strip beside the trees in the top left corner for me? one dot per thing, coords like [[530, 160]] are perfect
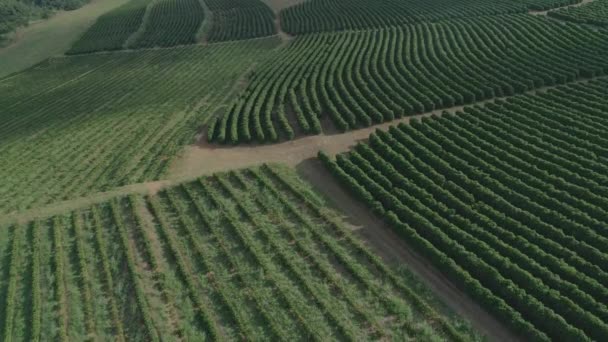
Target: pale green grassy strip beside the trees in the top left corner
[[48, 38]]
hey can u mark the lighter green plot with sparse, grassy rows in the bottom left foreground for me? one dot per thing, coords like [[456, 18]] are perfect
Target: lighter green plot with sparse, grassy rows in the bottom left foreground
[[248, 254]]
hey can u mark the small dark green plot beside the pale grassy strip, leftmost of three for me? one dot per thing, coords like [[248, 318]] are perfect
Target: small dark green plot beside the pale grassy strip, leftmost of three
[[112, 30]]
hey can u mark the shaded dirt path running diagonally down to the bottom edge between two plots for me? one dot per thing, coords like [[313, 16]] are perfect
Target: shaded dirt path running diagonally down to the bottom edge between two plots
[[392, 248]]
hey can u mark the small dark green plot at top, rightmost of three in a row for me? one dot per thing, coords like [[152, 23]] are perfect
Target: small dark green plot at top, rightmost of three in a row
[[240, 19]]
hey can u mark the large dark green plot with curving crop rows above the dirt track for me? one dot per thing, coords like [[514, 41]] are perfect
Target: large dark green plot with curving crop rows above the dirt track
[[360, 78]]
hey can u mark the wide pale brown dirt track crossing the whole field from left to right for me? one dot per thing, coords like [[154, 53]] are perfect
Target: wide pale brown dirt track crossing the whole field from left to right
[[205, 159]]
